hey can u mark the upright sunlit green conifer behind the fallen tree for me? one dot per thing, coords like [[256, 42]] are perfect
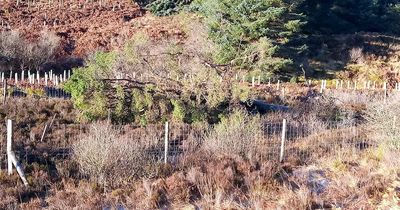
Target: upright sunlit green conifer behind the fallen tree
[[248, 33]]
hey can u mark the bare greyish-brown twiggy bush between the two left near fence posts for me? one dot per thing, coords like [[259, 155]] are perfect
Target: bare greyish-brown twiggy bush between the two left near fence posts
[[109, 159]]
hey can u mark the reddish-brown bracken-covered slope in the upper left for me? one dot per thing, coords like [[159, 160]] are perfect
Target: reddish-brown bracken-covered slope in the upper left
[[84, 27]]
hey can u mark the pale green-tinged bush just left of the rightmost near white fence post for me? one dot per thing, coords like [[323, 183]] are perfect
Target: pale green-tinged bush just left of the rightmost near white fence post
[[238, 134]]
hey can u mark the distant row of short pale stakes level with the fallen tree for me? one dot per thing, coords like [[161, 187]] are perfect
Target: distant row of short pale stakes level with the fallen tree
[[47, 84]]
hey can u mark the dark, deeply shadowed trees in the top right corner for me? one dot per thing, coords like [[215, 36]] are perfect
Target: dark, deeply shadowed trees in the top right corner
[[348, 16]]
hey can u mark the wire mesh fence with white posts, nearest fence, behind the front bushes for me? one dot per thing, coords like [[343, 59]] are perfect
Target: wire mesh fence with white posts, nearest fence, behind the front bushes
[[303, 141]]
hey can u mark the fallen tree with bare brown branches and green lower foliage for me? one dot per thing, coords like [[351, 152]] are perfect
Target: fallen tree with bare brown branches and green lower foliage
[[149, 81]]
